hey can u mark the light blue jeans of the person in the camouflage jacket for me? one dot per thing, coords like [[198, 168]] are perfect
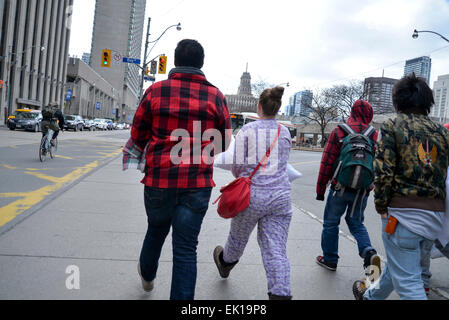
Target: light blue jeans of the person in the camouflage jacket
[[403, 270]]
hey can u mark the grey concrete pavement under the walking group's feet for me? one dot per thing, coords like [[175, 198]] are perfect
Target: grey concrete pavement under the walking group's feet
[[98, 226]]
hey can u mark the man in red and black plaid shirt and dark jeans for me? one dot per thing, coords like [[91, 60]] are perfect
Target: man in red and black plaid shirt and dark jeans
[[176, 113]]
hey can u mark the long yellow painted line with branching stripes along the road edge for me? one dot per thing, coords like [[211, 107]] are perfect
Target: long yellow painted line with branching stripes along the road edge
[[28, 199]]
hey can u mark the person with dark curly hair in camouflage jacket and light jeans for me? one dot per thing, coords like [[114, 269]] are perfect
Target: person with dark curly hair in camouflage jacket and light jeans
[[410, 168]]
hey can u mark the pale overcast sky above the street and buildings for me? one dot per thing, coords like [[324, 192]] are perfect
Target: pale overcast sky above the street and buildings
[[310, 44]]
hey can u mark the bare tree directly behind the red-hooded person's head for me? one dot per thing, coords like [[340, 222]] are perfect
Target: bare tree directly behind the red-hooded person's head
[[343, 96]]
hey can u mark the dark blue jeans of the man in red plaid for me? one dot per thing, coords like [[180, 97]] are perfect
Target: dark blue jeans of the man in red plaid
[[182, 210]]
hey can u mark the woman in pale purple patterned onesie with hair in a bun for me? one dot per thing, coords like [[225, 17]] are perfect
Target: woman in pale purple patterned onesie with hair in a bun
[[270, 202]]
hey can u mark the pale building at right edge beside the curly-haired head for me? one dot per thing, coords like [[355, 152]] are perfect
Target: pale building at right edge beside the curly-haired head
[[440, 111]]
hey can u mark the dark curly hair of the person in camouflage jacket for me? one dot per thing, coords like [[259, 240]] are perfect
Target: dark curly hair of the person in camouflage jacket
[[411, 94]]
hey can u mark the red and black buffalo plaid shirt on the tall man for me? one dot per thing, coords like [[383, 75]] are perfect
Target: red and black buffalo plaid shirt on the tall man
[[188, 102]]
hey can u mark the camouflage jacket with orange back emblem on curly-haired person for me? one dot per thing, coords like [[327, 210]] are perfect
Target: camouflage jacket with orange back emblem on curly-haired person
[[411, 164]]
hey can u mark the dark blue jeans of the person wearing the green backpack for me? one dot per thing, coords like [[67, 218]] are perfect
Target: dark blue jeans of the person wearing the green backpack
[[336, 206]]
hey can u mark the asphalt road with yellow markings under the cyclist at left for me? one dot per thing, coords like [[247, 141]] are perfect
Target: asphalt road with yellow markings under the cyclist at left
[[27, 184]]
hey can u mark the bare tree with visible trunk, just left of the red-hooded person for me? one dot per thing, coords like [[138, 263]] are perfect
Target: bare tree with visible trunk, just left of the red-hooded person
[[322, 110]]
